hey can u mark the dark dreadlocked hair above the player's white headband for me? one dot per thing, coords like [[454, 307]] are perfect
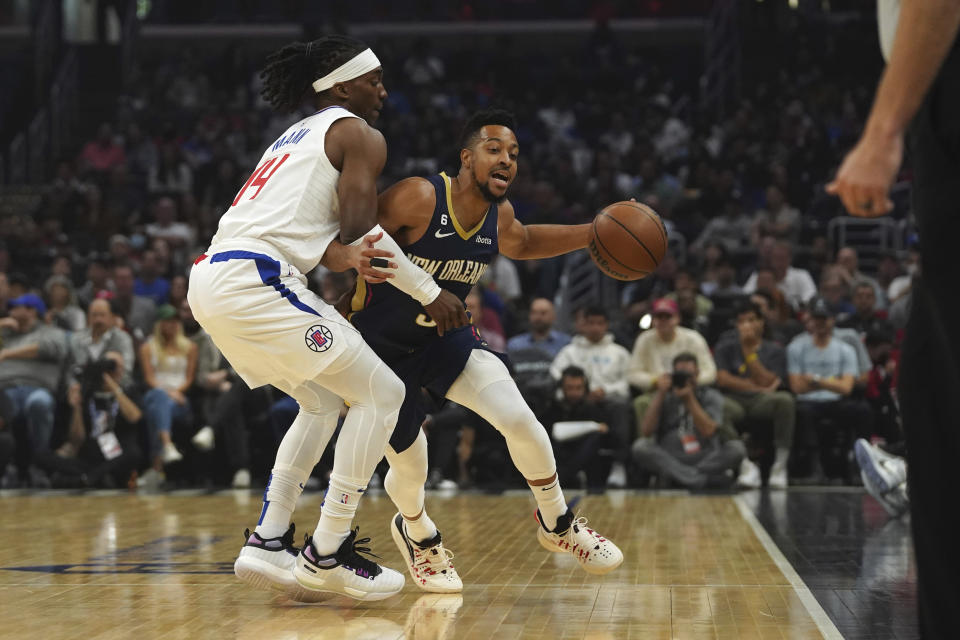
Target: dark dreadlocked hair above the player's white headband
[[290, 72]]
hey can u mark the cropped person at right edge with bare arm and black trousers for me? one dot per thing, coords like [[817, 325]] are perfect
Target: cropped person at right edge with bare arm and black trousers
[[922, 84]]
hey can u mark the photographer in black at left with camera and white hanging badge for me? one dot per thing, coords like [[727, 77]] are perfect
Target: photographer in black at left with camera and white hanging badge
[[101, 447]]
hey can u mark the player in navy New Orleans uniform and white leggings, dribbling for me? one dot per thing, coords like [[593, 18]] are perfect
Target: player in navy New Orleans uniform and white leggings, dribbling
[[452, 228]]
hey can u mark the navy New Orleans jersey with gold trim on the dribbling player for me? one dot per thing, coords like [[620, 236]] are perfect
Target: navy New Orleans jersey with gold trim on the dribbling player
[[394, 323]]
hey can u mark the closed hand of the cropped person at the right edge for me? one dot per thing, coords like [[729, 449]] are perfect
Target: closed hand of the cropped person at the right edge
[[867, 173]]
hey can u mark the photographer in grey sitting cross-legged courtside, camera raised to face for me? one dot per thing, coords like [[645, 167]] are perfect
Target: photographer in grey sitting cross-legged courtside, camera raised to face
[[679, 431]]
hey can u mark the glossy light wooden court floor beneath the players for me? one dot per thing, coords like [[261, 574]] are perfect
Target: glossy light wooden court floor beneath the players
[[116, 565]]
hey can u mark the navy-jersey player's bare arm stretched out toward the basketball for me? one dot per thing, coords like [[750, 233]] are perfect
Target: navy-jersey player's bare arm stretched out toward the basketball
[[530, 242]]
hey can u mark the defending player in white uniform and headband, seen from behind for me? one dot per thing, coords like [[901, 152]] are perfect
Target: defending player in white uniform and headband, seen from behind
[[315, 183]]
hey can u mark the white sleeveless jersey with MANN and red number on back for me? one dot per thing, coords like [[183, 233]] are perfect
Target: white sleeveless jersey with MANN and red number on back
[[290, 200]]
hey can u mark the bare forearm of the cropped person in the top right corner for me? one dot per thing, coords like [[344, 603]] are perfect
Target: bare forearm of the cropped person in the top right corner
[[925, 32]]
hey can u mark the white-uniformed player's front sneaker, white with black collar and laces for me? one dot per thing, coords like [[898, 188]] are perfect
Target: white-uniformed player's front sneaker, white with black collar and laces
[[346, 572]]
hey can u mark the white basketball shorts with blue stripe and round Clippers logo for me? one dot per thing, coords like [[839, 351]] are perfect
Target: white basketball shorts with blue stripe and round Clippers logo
[[264, 319]]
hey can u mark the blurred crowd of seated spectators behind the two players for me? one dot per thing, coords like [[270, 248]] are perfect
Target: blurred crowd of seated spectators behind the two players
[[761, 347]]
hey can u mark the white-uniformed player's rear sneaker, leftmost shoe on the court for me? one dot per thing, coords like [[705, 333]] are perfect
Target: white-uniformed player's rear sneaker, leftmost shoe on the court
[[267, 563]]
